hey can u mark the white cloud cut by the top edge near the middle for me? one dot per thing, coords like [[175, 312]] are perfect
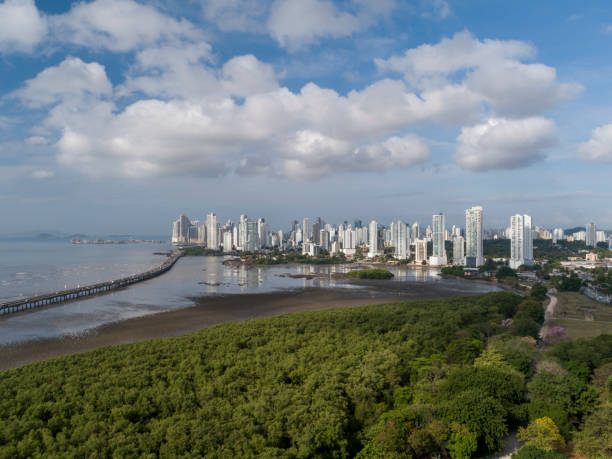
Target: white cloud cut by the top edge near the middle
[[296, 23]]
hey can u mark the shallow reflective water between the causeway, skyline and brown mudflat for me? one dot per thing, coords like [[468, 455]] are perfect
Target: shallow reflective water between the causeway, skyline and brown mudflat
[[202, 276]]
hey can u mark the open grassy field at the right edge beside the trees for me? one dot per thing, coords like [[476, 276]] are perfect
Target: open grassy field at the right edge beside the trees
[[581, 316]]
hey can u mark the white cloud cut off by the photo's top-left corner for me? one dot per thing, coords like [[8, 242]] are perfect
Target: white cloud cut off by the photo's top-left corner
[[22, 27]]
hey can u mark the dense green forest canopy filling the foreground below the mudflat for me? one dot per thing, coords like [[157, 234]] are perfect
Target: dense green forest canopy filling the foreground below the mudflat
[[413, 379]]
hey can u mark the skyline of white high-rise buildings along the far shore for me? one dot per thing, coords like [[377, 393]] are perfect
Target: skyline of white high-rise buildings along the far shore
[[402, 240]]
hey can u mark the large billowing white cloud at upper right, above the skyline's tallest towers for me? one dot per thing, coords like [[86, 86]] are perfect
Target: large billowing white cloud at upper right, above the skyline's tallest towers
[[492, 69]]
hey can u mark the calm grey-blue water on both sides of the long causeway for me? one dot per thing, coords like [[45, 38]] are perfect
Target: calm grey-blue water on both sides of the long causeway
[[31, 268]]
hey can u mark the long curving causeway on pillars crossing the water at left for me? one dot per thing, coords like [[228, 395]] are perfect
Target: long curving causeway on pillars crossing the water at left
[[88, 290]]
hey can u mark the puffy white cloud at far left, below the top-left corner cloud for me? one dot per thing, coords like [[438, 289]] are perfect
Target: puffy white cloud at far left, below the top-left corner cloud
[[71, 79]]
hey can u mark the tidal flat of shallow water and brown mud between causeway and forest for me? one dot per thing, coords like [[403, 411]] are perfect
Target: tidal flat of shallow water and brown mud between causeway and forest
[[199, 292]]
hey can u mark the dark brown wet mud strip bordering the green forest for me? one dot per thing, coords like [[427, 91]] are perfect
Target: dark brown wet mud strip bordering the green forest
[[209, 311]]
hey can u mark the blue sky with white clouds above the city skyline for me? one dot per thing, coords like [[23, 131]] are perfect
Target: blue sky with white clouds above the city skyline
[[118, 115]]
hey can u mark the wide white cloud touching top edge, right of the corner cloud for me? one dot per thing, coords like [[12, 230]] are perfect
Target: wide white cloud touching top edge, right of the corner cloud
[[120, 26]]
